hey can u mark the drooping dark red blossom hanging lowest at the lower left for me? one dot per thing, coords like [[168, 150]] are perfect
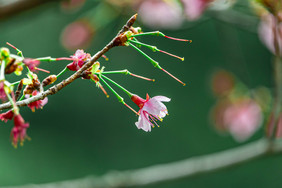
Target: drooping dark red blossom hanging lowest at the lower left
[[19, 130]]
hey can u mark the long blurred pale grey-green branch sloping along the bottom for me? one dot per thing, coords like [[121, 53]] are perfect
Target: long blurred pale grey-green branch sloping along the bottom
[[172, 171]]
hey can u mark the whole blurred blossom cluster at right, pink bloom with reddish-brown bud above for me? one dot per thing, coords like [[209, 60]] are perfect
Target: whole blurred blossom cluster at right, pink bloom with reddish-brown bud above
[[238, 111]]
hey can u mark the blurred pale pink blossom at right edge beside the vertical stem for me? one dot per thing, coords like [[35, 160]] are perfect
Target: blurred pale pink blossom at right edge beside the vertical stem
[[266, 34]]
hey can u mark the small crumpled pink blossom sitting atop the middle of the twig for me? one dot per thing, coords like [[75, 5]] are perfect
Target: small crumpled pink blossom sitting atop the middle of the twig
[[79, 59]]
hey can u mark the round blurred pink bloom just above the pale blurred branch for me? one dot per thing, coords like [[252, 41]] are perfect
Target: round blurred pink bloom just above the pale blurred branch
[[242, 119]]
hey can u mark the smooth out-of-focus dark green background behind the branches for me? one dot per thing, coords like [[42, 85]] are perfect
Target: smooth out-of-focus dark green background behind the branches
[[81, 132]]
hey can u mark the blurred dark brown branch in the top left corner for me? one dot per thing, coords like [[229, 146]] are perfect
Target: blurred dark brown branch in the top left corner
[[11, 7]]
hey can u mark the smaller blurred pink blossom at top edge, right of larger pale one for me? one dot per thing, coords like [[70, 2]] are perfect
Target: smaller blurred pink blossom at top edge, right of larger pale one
[[195, 8]]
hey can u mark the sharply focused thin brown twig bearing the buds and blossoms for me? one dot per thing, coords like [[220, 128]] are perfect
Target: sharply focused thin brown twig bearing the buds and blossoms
[[54, 89]]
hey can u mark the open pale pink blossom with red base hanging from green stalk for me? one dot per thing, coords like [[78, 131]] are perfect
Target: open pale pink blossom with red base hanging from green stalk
[[151, 110]]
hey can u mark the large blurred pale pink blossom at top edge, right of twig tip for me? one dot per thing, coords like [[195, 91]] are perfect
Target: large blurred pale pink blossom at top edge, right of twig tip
[[160, 13]]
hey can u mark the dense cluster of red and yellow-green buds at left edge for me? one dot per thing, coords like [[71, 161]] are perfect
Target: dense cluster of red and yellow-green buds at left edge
[[28, 86]]
